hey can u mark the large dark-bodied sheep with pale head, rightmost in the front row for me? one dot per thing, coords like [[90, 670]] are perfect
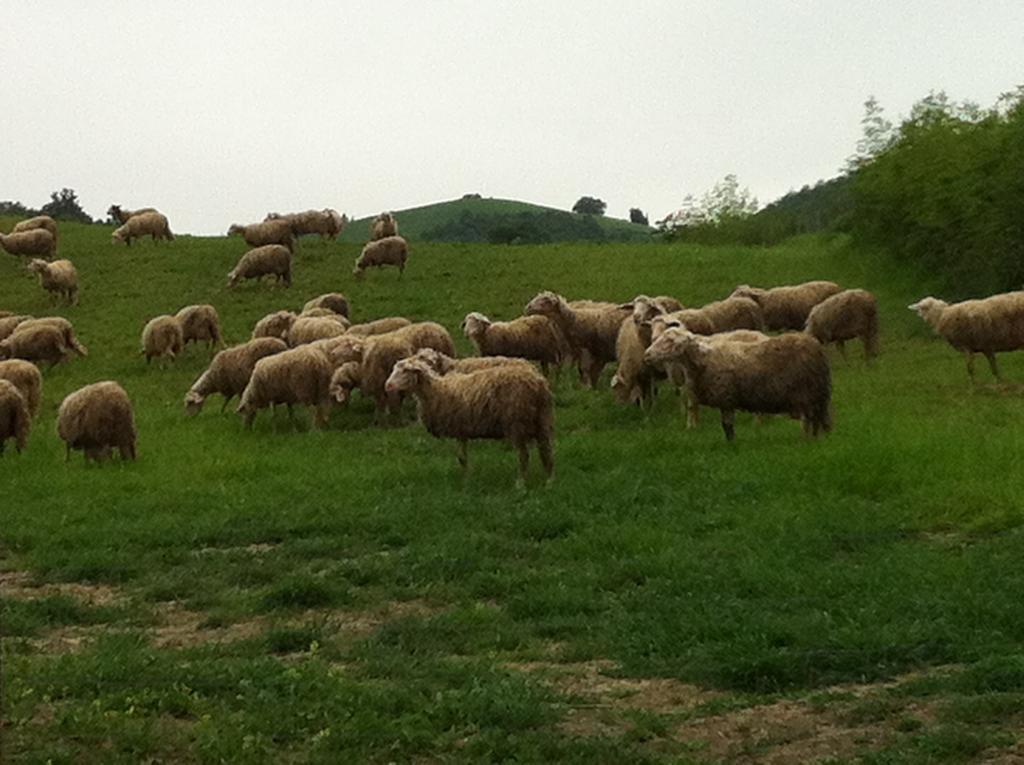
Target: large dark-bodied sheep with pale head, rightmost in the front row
[[787, 374]]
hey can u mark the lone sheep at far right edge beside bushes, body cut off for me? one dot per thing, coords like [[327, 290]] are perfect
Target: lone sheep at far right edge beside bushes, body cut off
[[989, 326]]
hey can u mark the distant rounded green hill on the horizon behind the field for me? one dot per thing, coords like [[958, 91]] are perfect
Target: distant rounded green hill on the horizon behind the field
[[508, 222]]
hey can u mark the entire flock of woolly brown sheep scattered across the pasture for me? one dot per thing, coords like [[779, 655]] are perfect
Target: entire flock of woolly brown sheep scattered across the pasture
[[718, 356]]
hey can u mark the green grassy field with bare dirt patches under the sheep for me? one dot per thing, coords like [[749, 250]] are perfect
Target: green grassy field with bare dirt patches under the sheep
[[344, 597]]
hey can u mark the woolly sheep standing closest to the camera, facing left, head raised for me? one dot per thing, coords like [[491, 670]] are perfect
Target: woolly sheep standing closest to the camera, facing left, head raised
[[509, 403]]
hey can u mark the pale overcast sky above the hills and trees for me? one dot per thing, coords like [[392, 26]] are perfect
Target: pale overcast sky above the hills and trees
[[222, 112]]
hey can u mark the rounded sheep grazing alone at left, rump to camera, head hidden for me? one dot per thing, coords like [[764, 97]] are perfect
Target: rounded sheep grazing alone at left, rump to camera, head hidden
[[97, 419]]
